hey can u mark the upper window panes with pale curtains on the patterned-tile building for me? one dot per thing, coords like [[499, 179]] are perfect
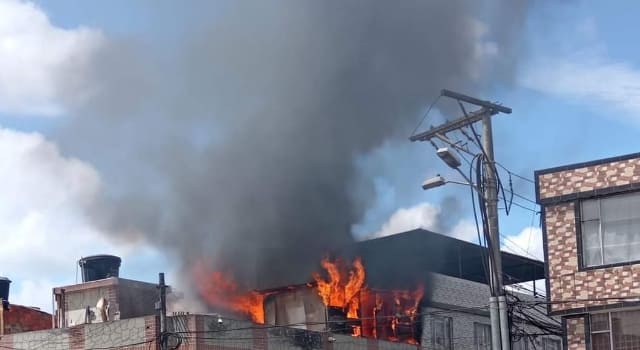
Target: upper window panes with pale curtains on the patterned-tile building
[[611, 230]]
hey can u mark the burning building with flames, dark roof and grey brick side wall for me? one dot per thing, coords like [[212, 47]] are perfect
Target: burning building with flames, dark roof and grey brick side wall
[[413, 287]]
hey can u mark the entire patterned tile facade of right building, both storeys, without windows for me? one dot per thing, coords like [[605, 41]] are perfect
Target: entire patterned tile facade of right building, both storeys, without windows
[[575, 291]]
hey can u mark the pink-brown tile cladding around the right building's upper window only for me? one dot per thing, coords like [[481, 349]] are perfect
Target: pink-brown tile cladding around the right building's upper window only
[[557, 192]]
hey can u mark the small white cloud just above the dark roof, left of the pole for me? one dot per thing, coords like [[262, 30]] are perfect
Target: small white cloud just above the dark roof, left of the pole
[[425, 216]]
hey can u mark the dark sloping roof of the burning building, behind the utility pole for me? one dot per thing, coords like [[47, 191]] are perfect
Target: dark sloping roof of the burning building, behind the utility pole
[[410, 256]]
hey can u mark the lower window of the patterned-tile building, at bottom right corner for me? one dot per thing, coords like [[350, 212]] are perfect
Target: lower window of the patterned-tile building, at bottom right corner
[[615, 330]]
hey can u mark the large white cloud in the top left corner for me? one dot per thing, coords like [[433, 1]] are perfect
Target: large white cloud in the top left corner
[[38, 58]]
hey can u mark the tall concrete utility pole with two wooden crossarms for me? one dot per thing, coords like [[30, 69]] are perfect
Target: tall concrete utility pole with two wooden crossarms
[[500, 336]]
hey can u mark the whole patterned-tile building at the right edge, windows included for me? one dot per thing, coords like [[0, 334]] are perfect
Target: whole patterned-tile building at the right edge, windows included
[[591, 230]]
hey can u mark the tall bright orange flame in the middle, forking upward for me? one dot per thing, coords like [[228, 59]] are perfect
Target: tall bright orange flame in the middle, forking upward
[[341, 290]]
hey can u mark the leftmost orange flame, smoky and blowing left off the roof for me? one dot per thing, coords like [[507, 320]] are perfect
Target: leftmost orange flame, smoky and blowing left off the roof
[[220, 290]]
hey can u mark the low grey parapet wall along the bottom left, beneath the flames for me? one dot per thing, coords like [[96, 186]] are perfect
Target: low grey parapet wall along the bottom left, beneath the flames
[[188, 332]]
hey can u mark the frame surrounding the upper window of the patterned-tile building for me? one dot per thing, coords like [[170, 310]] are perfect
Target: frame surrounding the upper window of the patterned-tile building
[[577, 208]]
